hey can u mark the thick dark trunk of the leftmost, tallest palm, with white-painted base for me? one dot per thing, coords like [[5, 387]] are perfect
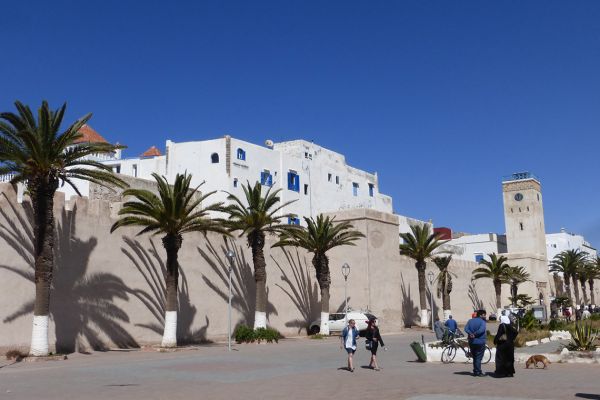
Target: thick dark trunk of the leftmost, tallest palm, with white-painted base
[[42, 198]]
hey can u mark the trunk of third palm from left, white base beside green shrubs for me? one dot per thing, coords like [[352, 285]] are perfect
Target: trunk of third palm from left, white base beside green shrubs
[[256, 240]]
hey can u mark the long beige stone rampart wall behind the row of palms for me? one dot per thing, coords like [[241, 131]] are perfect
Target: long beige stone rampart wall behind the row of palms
[[108, 287]]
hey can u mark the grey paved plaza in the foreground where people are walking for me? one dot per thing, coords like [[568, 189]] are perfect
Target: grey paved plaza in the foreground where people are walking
[[293, 369]]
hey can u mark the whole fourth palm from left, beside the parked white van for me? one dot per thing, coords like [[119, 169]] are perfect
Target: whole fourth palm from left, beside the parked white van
[[319, 237]]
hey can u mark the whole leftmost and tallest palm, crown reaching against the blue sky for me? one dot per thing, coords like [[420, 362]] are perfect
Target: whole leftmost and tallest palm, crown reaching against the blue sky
[[39, 156]]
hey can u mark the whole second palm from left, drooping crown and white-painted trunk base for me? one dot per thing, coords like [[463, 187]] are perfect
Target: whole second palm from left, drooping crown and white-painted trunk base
[[175, 211]]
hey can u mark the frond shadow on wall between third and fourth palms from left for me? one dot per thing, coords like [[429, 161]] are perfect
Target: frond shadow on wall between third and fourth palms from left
[[301, 290]]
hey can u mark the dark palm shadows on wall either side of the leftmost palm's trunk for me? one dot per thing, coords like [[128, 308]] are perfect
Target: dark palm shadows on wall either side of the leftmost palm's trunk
[[81, 304]]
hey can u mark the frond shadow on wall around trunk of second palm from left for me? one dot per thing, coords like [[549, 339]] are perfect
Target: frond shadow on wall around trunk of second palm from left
[[153, 270]]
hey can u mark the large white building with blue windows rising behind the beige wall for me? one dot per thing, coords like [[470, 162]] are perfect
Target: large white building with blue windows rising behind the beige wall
[[318, 180]]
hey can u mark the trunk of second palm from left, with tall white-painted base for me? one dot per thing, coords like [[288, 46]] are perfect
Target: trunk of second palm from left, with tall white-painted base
[[172, 244]]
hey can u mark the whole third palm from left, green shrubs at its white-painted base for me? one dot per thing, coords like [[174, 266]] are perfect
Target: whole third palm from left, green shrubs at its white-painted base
[[255, 217]]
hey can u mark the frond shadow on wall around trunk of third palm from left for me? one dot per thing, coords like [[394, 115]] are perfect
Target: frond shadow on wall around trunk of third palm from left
[[243, 289]]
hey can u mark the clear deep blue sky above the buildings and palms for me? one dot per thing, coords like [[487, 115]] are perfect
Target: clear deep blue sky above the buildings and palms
[[442, 98]]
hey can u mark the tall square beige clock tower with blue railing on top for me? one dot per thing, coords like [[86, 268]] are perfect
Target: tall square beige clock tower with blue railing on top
[[526, 233]]
